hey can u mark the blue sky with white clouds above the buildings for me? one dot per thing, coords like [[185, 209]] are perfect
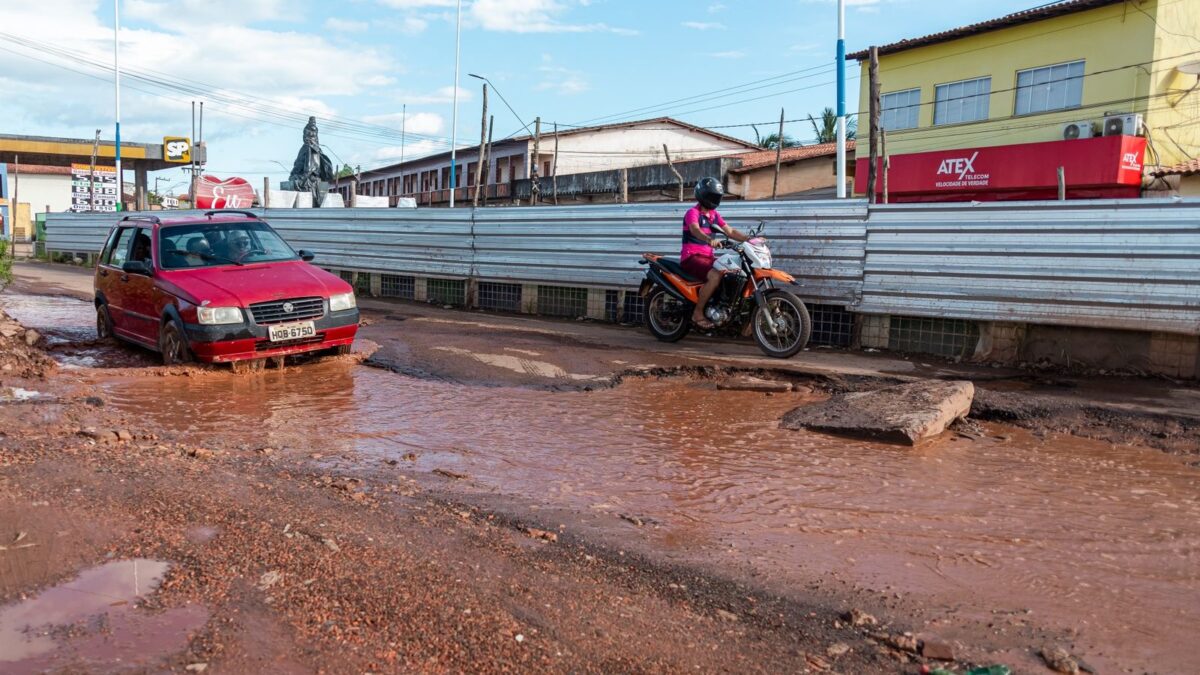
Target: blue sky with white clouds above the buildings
[[262, 65]]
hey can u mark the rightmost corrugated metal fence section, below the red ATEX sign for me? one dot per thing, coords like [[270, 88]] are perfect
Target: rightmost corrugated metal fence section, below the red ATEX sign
[[1131, 264]]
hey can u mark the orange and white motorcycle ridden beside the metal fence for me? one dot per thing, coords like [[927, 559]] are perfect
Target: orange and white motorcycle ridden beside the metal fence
[[748, 301]]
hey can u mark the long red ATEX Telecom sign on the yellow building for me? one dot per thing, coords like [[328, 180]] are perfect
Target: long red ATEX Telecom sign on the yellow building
[[1108, 166]]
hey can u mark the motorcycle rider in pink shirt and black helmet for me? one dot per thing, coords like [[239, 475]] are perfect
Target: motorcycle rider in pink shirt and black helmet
[[700, 226]]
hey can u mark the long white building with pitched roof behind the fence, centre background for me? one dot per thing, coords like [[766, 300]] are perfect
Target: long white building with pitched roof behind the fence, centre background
[[580, 151]]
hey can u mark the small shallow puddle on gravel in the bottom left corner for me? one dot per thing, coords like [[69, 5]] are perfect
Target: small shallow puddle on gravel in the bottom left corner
[[93, 623]]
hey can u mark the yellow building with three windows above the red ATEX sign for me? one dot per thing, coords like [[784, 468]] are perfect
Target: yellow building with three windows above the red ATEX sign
[[1057, 73]]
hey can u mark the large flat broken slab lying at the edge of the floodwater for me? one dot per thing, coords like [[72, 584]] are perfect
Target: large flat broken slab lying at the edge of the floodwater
[[905, 414]]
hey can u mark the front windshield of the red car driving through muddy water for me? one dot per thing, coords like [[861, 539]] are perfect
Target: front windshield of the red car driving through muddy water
[[213, 244]]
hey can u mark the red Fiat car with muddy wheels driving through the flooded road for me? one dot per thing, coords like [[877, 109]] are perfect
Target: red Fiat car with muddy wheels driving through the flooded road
[[219, 288]]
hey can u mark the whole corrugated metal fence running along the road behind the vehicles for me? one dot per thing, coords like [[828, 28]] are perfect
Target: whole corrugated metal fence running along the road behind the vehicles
[[1131, 265]]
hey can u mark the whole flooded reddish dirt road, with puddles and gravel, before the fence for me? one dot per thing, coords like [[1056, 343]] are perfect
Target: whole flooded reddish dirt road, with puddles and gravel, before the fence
[[499, 493]]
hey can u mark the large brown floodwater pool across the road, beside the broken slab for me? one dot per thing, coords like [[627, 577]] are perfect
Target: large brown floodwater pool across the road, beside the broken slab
[[1075, 535]]
